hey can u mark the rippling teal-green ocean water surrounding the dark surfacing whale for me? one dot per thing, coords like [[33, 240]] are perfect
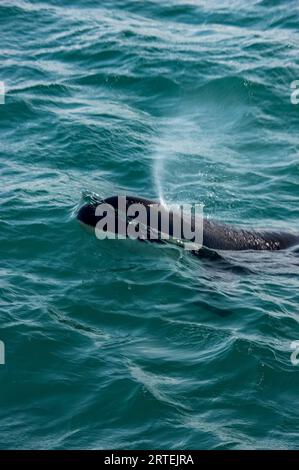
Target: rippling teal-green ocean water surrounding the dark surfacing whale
[[126, 344]]
